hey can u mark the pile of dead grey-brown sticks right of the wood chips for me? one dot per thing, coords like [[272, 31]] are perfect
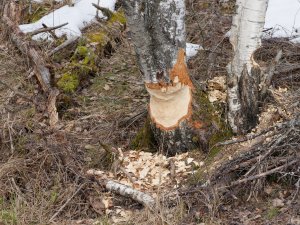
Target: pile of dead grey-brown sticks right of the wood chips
[[281, 146]]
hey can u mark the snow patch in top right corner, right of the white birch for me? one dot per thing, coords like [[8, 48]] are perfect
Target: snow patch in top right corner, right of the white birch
[[284, 17]]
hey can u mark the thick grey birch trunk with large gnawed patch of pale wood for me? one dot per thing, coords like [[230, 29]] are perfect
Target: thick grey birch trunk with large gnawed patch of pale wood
[[158, 33]]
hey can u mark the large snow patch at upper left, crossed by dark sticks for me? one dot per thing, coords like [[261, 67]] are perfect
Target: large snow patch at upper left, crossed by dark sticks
[[78, 17]]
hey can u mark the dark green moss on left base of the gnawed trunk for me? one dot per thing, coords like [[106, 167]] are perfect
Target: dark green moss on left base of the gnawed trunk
[[144, 138]]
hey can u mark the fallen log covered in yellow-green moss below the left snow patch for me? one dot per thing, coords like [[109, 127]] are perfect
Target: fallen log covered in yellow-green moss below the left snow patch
[[98, 41]]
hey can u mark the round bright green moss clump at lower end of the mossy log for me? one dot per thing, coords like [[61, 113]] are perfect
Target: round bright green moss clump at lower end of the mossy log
[[68, 82]]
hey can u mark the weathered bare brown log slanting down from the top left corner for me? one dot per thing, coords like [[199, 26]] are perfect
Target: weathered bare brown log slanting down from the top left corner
[[21, 42]]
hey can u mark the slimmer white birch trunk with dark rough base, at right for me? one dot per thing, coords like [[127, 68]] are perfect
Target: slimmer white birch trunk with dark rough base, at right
[[243, 72]]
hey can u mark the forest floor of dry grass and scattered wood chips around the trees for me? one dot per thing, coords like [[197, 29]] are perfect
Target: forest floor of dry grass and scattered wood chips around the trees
[[43, 177]]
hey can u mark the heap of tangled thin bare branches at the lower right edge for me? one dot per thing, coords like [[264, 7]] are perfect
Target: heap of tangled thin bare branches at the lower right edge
[[275, 152]]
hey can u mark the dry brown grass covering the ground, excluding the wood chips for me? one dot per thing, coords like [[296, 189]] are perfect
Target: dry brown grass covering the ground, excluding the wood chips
[[42, 171]]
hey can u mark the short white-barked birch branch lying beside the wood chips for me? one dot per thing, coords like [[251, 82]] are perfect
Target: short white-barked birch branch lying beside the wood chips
[[122, 189]]
